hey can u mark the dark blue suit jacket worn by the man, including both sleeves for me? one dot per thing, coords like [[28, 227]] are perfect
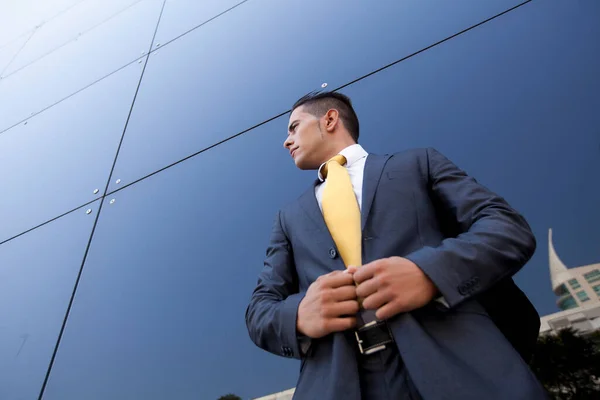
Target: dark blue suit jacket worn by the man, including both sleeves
[[469, 241]]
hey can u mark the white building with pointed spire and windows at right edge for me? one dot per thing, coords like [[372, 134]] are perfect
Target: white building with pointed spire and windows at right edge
[[578, 295]]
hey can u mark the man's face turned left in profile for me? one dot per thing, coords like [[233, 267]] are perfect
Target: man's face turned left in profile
[[307, 140]]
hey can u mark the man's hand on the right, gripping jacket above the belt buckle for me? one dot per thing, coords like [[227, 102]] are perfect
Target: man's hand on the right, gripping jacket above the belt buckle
[[392, 285]]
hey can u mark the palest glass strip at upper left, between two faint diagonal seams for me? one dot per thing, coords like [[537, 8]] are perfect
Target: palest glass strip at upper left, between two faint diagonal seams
[[78, 64]]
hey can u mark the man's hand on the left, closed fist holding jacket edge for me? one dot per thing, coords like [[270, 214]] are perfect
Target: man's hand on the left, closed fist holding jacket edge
[[330, 305]]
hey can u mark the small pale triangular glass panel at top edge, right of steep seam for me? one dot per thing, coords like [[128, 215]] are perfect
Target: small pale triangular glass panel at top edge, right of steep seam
[[179, 16]]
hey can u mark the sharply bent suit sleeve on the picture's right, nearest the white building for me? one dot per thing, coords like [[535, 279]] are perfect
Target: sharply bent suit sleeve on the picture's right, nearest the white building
[[493, 241]]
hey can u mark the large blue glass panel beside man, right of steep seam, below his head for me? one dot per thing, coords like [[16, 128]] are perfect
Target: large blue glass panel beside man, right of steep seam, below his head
[[161, 303]]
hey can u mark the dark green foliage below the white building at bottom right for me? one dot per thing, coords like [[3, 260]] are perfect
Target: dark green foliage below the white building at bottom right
[[568, 365]]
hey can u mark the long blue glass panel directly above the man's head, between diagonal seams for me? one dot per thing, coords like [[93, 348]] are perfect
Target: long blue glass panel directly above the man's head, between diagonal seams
[[250, 64]]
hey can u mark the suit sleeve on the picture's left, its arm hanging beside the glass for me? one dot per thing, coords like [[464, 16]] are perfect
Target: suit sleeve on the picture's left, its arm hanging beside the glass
[[273, 308]]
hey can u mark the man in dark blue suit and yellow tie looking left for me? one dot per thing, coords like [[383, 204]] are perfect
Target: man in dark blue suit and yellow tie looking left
[[390, 278]]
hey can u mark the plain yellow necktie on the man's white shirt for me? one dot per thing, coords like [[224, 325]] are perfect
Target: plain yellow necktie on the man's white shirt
[[341, 211]]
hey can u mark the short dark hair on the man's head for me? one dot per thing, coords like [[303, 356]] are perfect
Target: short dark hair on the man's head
[[318, 104]]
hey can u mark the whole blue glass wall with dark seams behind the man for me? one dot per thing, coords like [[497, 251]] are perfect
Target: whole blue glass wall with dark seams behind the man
[[141, 164]]
